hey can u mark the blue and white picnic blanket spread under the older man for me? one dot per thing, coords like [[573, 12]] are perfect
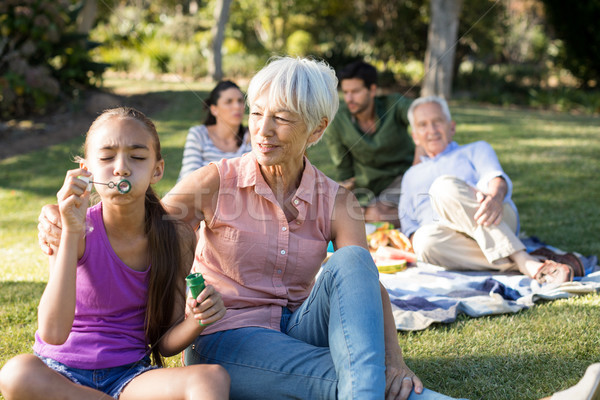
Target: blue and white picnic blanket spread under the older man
[[427, 294]]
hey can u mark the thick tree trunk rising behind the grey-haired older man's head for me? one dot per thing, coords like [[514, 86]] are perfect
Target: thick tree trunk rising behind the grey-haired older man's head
[[441, 46]]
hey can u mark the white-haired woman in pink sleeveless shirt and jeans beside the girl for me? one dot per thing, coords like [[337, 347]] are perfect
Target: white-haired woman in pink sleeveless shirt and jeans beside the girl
[[268, 218]]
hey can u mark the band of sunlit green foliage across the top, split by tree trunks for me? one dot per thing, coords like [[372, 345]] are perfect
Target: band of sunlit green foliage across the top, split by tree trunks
[[504, 54]]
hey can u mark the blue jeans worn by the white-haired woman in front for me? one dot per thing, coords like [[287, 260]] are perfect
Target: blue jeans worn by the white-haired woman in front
[[331, 347]]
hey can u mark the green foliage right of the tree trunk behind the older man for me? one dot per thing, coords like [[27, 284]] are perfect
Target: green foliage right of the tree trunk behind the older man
[[510, 58]]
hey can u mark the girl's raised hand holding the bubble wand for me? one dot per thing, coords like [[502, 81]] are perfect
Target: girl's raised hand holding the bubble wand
[[73, 201]]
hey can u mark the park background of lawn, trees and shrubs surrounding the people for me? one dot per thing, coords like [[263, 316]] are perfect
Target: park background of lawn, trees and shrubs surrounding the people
[[523, 76]]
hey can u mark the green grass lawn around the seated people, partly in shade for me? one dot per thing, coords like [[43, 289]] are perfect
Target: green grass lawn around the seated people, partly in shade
[[553, 161]]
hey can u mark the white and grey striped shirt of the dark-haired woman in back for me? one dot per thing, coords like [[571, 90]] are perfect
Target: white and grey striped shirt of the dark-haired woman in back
[[200, 150]]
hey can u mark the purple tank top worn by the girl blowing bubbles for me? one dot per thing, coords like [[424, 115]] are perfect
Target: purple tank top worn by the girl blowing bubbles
[[108, 329]]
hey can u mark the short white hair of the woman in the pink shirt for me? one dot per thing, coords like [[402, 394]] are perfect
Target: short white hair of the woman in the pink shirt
[[304, 86]]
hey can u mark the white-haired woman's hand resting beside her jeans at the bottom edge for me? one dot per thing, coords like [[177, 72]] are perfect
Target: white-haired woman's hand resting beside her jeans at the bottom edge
[[399, 379]]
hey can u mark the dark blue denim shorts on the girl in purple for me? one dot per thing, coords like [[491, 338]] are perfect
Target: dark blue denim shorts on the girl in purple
[[111, 381]]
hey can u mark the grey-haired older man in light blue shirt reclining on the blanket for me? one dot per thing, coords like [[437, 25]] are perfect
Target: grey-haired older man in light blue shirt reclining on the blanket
[[456, 204]]
